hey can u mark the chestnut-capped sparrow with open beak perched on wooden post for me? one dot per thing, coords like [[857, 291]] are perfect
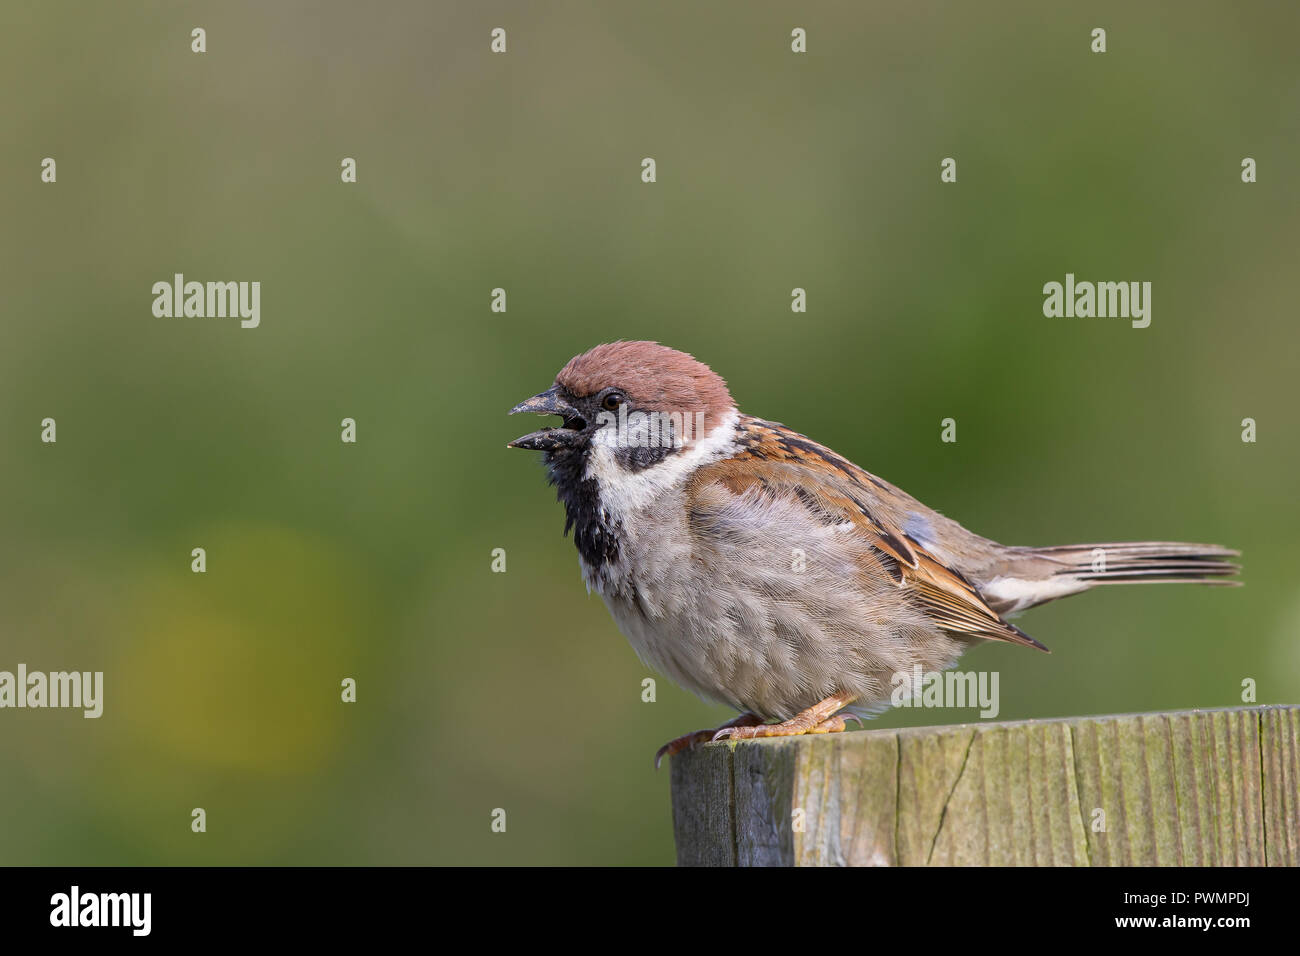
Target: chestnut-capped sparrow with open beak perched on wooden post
[[762, 570]]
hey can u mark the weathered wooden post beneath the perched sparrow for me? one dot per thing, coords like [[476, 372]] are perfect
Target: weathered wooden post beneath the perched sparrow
[[1199, 788]]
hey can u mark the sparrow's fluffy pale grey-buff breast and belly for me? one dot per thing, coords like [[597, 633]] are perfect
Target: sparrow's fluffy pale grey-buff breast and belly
[[742, 620]]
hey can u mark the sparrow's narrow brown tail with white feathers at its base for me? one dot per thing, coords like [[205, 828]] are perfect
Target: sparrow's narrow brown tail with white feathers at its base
[[1052, 573]]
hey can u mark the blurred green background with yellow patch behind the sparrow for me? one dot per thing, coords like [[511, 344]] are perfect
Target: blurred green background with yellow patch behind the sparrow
[[479, 690]]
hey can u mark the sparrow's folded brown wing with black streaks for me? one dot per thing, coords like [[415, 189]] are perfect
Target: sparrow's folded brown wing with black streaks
[[777, 462]]
